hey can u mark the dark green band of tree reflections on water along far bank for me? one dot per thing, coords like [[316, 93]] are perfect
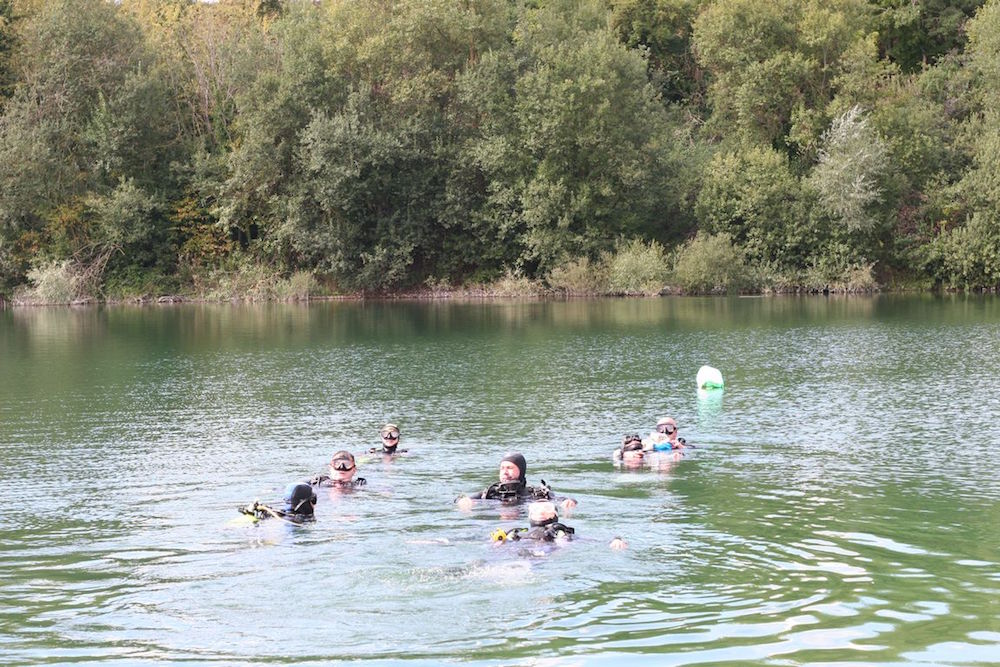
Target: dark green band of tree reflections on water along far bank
[[243, 325]]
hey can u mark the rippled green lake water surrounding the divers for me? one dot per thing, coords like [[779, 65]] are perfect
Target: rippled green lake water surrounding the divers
[[841, 506]]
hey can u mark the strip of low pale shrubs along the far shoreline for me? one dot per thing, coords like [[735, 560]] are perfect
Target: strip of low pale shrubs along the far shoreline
[[705, 265]]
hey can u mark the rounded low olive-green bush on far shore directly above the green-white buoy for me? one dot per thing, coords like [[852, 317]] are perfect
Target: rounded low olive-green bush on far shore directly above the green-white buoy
[[710, 263]]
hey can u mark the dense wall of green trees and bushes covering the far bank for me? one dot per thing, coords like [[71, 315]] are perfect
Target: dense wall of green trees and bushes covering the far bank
[[164, 145]]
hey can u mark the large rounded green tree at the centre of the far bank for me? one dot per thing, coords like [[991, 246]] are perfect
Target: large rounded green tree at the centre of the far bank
[[573, 147]]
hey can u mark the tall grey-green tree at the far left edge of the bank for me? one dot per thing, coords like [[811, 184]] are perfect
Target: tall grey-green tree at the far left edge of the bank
[[73, 132]]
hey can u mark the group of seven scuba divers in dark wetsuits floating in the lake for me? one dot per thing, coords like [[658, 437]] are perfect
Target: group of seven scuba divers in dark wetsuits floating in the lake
[[511, 487]]
